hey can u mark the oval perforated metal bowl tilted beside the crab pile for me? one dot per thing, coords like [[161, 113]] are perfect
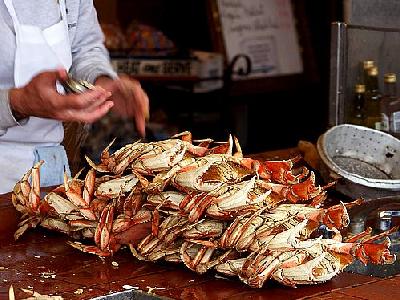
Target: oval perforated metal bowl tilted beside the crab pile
[[363, 157]]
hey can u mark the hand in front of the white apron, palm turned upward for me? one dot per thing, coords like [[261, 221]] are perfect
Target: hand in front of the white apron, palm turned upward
[[39, 98]]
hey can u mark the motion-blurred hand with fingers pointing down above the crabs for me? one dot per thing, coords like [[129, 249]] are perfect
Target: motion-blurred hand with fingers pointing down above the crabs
[[130, 100]]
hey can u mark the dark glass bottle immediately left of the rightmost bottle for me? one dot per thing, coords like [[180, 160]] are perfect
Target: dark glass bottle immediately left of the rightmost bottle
[[372, 100]]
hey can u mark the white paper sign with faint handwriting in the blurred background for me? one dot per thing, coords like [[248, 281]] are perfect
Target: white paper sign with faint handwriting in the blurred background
[[265, 31]]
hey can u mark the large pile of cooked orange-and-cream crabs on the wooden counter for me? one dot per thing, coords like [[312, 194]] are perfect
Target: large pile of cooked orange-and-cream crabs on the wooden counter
[[206, 206]]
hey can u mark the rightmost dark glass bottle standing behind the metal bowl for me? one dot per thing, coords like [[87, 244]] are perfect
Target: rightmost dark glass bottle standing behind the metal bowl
[[389, 95]]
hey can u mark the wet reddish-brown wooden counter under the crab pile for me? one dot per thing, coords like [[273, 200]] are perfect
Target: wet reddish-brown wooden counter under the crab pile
[[41, 260]]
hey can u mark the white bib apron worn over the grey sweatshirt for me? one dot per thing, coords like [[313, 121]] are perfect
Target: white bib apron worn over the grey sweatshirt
[[37, 50]]
